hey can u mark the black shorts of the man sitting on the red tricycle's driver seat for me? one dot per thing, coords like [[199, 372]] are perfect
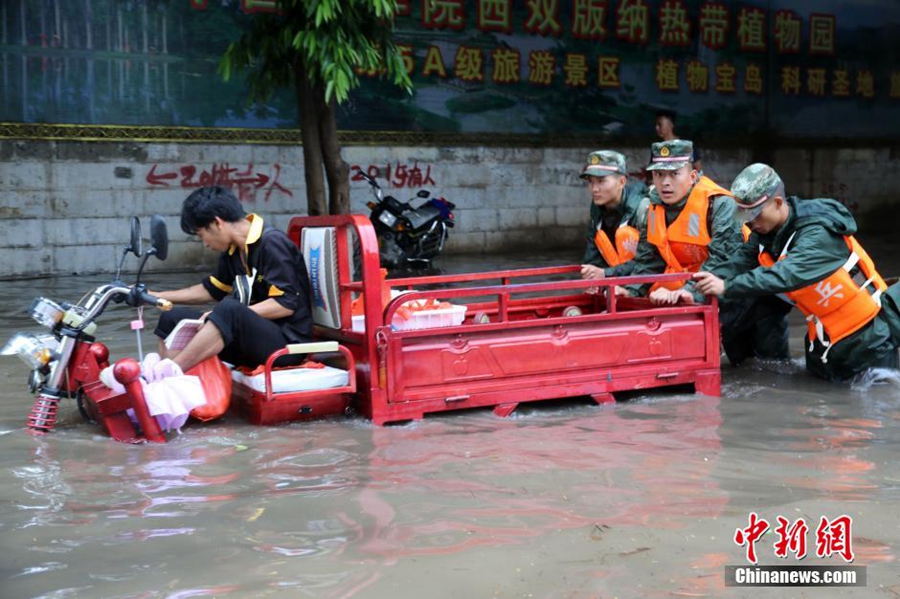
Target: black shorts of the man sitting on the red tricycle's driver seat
[[249, 338]]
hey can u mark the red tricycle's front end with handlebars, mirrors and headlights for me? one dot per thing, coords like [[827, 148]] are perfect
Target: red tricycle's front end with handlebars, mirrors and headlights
[[67, 361]]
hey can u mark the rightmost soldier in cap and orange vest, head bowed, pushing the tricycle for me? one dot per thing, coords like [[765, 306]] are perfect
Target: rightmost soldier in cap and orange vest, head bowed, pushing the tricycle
[[806, 250]]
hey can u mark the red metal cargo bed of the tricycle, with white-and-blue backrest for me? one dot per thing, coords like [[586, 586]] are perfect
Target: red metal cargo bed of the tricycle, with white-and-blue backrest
[[527, 335]]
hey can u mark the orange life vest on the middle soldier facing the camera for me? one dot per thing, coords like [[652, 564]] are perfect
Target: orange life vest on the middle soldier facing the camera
[[684, 243]]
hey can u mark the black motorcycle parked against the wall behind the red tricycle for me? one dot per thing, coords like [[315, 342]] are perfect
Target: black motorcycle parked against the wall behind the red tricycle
[[408, 236]]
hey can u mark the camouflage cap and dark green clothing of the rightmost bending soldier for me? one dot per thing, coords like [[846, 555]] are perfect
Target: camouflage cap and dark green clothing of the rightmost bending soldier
[[816, 230]]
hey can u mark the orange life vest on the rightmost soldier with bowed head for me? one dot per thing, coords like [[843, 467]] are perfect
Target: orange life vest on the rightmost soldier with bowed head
[[837, 306]]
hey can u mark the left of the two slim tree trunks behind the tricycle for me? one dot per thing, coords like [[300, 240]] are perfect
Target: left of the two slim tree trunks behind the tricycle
[[312, 148]]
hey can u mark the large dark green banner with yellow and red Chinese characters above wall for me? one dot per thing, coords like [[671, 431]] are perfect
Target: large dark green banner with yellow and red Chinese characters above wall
[[542, 67]]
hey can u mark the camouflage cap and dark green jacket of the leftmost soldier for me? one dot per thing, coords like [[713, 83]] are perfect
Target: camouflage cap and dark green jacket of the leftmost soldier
[[631, 209]]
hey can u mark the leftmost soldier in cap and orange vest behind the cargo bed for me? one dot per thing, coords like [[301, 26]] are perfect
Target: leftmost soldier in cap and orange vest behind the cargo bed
[[616, 213]]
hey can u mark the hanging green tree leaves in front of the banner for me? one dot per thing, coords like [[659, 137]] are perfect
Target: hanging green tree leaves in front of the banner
[[332, 40]]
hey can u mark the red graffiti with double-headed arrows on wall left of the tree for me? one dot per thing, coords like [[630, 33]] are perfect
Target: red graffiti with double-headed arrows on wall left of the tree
[[245, 183]]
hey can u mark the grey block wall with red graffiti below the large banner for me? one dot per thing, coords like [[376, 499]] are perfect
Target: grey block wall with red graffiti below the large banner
[[64, 206]]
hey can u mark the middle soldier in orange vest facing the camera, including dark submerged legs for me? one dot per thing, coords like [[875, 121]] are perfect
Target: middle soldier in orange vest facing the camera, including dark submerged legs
[[691, 227]]
